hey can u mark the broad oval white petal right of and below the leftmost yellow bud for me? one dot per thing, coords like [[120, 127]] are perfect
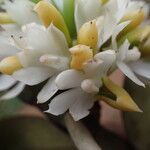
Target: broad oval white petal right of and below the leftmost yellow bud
[[33, 75]]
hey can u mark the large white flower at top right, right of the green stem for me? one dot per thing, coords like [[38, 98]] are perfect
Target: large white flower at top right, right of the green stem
[[113, 11]]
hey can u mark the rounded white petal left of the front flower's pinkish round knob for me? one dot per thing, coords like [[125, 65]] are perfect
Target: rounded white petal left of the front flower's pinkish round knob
[[69, 79]]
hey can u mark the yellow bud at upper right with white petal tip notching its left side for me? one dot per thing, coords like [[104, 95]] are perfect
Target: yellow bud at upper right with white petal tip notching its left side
[[136, 18]]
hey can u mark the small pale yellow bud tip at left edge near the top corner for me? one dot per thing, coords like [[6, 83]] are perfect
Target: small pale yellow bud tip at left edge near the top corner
[[5, 18]]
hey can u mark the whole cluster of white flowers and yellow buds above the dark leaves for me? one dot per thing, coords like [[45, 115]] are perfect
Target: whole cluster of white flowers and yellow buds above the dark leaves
[[75, 45]]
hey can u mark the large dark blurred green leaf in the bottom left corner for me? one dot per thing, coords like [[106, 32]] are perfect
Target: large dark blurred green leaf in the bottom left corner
[[31, 133]]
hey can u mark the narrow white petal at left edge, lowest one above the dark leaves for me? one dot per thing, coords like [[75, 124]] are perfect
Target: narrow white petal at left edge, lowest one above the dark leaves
[[13, 92]]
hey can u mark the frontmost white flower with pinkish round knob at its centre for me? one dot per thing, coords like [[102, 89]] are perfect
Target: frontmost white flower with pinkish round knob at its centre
[[84, 86]]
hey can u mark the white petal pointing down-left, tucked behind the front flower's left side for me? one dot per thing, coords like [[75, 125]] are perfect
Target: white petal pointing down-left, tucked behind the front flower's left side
[[49, 90]]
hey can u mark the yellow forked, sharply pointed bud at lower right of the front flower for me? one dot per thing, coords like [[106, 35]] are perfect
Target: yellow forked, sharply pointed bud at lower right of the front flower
[[123, 102]]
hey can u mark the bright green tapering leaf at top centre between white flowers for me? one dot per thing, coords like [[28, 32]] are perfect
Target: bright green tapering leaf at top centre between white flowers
[[66, 7]]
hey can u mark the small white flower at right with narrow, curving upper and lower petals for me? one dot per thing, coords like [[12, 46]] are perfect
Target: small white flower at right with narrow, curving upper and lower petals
[[125, 55]]
